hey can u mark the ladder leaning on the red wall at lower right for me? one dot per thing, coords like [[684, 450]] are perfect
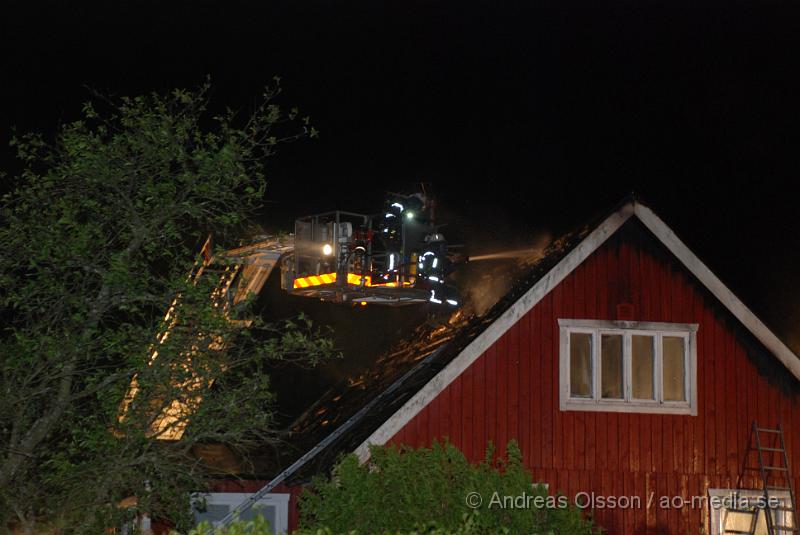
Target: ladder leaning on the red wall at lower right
[[771, 468]]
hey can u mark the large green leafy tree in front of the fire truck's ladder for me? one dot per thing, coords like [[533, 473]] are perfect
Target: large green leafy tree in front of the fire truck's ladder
[[97, 237]]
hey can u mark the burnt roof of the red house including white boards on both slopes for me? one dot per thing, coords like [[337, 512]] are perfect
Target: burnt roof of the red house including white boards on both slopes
[[358, 408]]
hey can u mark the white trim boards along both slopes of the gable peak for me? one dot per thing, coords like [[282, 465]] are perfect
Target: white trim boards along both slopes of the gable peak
[[567, 264]]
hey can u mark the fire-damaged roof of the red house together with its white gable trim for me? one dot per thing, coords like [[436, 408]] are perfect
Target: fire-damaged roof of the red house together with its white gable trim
[[408, 379]]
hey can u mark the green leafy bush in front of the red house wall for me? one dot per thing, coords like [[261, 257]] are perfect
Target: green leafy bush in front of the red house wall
[[401, 490]]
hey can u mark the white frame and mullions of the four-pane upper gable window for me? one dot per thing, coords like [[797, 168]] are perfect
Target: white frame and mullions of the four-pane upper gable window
[[627, 329]]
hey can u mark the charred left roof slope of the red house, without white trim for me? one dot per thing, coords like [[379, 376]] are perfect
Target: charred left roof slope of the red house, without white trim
[[363, 402]]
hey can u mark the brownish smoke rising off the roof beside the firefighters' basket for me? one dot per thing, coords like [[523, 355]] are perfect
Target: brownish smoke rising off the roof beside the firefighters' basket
[[488, 276]]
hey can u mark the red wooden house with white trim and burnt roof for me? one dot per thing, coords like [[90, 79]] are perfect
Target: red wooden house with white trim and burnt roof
[[621, 364]]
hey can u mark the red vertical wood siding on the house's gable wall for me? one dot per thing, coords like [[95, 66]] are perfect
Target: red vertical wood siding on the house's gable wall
[[511, 392]]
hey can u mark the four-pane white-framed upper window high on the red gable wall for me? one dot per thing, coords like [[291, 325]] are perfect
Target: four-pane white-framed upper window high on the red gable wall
[[628, 366]]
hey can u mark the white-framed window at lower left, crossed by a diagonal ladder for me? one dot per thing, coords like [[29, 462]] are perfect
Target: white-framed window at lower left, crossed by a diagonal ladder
[[273, 507]]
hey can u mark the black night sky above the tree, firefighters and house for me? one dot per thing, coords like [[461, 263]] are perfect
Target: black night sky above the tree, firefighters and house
[[524, 116]]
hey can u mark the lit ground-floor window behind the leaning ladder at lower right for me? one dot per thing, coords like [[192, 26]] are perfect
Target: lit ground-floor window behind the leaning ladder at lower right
[[742, 511]]
